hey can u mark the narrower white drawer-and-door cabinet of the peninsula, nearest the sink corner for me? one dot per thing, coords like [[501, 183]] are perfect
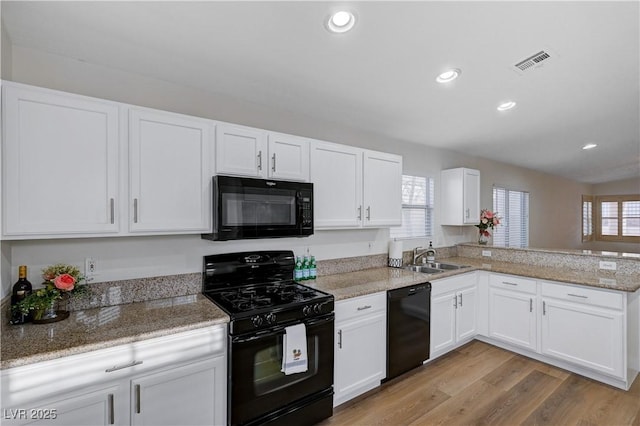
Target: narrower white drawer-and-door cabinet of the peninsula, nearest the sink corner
[[513, 310]]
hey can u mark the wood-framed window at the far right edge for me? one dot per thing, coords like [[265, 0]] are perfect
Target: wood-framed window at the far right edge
[[618, 218]]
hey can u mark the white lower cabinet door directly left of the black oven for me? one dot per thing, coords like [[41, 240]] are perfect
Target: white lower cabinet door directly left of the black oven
[[193, 394]]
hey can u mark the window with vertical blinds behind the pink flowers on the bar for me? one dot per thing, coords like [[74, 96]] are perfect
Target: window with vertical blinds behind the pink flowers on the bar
[[513, 207]]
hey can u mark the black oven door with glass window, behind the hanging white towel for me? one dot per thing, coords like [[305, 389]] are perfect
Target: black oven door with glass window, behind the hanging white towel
[[256, 385]]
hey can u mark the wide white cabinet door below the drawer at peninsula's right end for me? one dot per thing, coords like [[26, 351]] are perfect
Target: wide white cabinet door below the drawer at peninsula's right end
[[587, 336]]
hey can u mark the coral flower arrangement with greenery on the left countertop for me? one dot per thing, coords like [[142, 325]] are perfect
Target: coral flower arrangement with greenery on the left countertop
[[61, 281]]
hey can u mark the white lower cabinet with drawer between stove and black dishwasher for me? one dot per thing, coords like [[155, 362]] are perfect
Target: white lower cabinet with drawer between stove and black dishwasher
[[360, 345]]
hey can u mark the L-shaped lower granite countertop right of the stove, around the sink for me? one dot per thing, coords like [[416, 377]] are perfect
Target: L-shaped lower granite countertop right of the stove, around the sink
[[360, 283]]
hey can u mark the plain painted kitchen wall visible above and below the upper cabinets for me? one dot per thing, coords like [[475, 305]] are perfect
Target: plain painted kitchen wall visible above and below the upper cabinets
[[144, 256]]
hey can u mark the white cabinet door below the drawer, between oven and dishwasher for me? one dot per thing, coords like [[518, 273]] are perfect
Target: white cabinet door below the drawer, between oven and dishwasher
[[360, 356]]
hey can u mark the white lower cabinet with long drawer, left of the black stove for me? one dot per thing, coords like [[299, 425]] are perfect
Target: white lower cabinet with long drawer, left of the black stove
[[177, 379]]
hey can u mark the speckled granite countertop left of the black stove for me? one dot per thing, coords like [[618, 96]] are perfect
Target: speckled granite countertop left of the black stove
[[100, 328]]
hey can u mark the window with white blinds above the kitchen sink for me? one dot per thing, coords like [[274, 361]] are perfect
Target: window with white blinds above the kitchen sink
[[417, 208]]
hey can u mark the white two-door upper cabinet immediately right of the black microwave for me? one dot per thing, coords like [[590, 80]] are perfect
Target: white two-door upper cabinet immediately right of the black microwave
[[354, 187]]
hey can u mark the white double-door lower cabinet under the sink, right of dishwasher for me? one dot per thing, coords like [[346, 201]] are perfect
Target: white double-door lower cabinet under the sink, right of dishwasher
[[454, 312]]
